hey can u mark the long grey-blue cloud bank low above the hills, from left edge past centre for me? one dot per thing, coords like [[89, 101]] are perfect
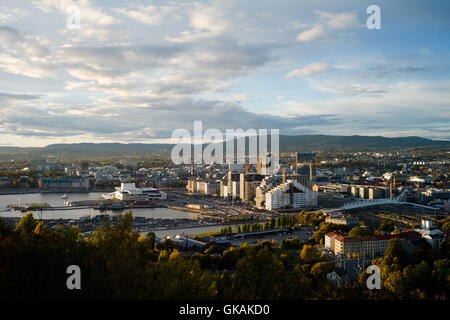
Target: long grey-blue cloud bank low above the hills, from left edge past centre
[[157, 120]]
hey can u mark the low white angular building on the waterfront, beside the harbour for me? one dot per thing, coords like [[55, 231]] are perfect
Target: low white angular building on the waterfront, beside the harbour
[[129, 192]]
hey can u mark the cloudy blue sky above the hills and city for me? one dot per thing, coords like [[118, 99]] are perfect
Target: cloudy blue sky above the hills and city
[[134, 71]]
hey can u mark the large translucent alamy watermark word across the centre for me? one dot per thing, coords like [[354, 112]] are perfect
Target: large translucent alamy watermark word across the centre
[[213, 152]]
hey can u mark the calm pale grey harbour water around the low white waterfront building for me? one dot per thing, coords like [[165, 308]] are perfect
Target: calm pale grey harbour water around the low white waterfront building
[[54, 200]]
